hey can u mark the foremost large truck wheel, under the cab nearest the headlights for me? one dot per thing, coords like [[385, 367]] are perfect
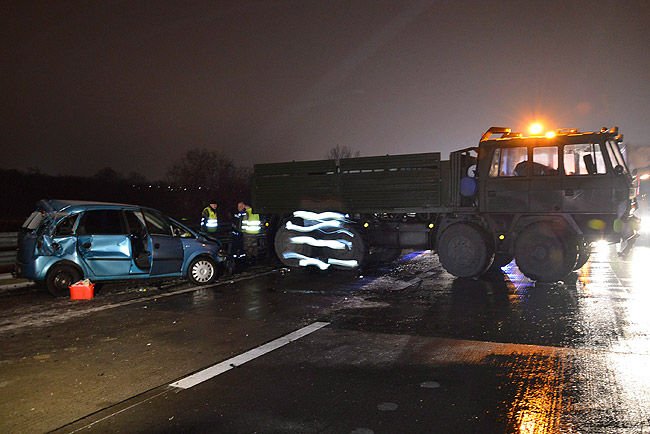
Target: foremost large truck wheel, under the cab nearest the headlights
[[543, 255]]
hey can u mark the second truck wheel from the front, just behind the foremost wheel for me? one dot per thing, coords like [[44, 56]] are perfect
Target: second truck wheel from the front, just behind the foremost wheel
[[464, 250]]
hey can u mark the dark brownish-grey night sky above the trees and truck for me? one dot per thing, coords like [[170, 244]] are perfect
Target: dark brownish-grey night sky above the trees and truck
[[135, 84]]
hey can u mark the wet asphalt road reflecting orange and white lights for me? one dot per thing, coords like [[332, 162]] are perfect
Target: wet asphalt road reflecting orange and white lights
[[402, 348]]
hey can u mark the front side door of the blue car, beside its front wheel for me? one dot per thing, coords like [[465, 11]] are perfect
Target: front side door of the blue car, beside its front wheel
[[166, 249]]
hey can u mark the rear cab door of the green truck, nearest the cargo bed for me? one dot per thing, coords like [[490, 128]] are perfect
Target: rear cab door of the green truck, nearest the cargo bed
[[506, 187]]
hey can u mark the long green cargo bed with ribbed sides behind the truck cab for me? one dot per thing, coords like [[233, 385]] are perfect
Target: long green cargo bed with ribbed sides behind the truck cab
[[386, 184]]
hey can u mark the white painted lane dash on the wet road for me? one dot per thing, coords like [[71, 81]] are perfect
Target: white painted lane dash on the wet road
[[239, 360]]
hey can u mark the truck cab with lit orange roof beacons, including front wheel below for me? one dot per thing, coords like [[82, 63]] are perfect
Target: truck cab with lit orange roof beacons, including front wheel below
[[576, 185]]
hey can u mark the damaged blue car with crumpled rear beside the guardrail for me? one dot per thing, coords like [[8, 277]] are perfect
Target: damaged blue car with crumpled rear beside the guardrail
[[64, 241]]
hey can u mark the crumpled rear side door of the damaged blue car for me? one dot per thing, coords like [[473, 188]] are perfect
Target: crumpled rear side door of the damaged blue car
[[103, 243]]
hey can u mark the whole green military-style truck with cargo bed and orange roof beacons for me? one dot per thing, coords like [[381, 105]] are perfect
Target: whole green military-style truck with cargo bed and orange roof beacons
[[541, 200]]
